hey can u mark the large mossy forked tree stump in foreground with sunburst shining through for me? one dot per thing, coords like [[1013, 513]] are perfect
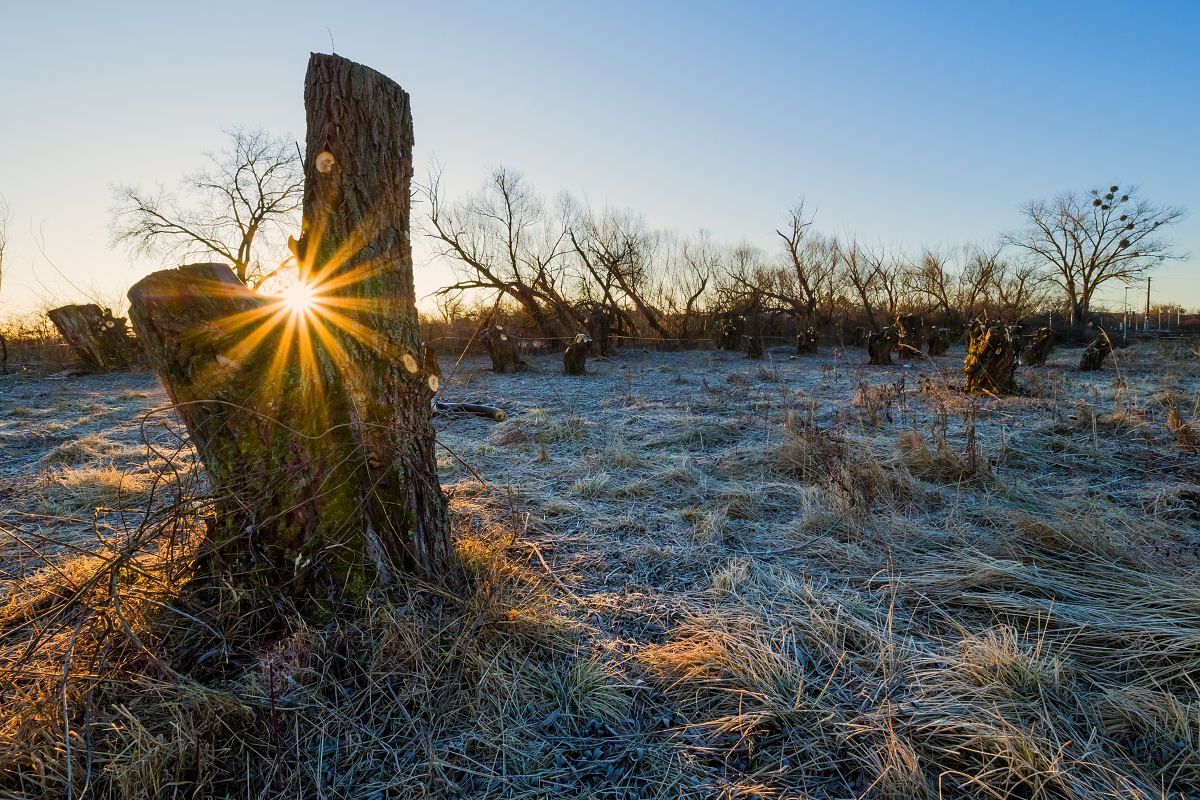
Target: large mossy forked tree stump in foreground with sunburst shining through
[[314, 420]]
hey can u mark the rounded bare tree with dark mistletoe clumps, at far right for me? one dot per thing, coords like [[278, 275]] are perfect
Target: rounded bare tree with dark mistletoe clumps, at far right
[[1085, 240]]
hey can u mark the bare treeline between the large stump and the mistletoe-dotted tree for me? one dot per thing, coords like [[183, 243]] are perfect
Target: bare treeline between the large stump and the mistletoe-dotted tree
[[551, 270]]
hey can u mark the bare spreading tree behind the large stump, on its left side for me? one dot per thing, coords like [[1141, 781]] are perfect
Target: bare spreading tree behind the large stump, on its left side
[[241, 207]]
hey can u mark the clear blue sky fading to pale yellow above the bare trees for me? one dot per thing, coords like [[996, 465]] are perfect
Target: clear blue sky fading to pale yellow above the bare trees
[[907, 123]]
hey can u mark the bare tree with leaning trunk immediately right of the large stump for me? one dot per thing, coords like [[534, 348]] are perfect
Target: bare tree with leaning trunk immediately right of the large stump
[[503, 239]]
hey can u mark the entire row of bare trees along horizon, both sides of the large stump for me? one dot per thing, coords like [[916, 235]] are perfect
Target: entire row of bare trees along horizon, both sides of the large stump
[[560, 264]]
